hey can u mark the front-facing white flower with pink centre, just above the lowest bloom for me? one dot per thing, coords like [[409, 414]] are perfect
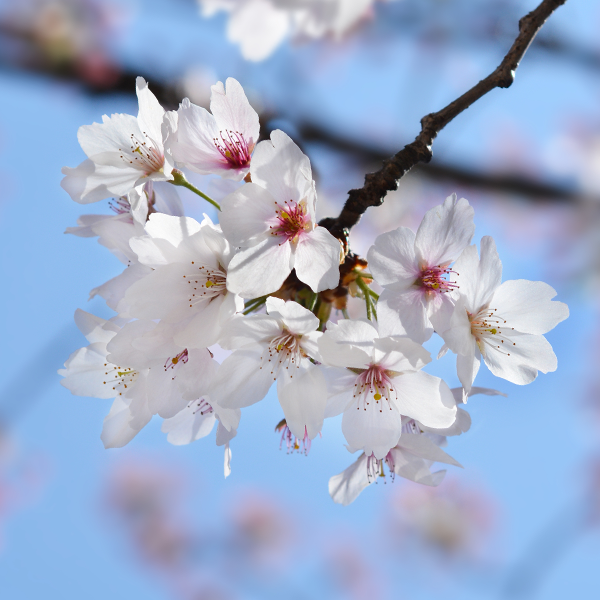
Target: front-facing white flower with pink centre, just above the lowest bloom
[[380, 383]]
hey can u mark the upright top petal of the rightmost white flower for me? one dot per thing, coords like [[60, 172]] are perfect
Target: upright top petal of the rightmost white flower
[[478, 279]]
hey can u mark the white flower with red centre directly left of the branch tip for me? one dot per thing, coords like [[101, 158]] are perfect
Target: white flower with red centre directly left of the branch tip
[[273, 221]]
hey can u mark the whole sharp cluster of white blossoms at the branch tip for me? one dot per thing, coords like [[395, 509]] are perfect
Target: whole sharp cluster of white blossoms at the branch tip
[[269, 286]]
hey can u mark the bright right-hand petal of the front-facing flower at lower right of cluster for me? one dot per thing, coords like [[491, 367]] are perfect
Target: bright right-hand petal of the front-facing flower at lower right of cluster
[[424, 398]]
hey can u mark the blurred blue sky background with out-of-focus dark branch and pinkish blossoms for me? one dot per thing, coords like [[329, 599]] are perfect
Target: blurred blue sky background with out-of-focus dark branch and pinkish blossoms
[[159, 522]]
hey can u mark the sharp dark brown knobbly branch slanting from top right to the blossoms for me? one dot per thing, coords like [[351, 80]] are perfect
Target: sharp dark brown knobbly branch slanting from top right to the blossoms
[[378, 184]]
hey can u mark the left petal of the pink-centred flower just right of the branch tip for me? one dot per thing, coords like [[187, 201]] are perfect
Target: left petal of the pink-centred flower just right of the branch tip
[[392, 259]]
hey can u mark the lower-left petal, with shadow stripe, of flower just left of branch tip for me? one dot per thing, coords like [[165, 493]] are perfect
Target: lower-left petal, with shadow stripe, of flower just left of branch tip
[[259, 270]]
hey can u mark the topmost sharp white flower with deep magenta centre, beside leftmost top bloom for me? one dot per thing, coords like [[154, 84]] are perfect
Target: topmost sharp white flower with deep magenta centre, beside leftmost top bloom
[[222, 142]]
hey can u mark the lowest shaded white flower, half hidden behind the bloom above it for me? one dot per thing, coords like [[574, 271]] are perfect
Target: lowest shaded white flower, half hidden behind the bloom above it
[[418, 448]]
